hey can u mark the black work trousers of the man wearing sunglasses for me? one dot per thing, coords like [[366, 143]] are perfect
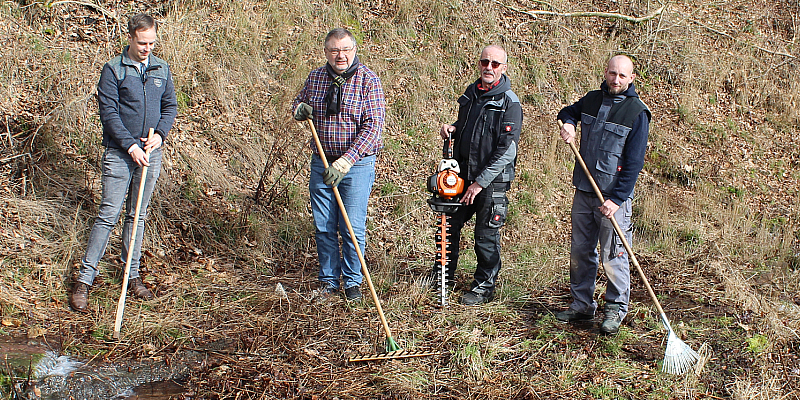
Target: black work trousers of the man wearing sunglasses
[[490, 207]]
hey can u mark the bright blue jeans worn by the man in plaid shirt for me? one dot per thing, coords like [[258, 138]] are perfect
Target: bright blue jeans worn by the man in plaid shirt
[[354, 189]]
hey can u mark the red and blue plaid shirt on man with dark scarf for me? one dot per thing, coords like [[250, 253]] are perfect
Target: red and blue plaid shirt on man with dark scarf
[[356, 131]]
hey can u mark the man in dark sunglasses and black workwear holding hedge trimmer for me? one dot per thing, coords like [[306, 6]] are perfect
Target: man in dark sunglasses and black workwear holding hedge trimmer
[[485, 139]]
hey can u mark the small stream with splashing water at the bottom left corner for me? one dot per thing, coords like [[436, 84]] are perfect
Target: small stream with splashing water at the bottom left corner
[[55, 376]]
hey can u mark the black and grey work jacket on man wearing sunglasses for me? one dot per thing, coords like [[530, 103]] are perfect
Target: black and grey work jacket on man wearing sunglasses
[[487, 133]]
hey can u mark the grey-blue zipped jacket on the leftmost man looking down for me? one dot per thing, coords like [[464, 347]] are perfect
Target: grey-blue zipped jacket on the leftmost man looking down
[[131, 103]]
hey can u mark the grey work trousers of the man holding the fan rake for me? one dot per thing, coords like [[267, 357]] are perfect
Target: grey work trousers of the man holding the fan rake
[[590, 226]]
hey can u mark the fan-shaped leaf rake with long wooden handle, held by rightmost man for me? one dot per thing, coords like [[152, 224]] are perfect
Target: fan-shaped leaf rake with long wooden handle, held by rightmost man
[[679, 357]]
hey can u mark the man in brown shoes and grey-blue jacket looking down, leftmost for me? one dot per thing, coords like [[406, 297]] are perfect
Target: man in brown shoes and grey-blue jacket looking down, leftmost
[[135, 93]]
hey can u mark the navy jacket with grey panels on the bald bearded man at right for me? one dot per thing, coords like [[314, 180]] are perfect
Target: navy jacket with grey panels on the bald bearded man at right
[[614, 133]]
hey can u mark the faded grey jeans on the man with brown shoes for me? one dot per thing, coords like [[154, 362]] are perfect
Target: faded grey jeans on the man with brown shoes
[[121, 178]]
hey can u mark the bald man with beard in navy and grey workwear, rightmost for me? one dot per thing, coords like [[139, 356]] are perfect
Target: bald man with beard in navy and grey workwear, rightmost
[[614, 128]]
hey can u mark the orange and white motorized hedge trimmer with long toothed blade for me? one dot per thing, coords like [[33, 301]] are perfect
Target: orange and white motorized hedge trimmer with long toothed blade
[[445, 185]]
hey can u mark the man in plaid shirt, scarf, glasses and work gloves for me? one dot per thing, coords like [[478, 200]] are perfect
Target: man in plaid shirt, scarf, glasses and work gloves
[[346, 101]]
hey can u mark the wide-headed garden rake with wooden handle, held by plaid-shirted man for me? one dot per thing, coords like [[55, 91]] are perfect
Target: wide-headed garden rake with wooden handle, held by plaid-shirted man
[[393, 351]]
